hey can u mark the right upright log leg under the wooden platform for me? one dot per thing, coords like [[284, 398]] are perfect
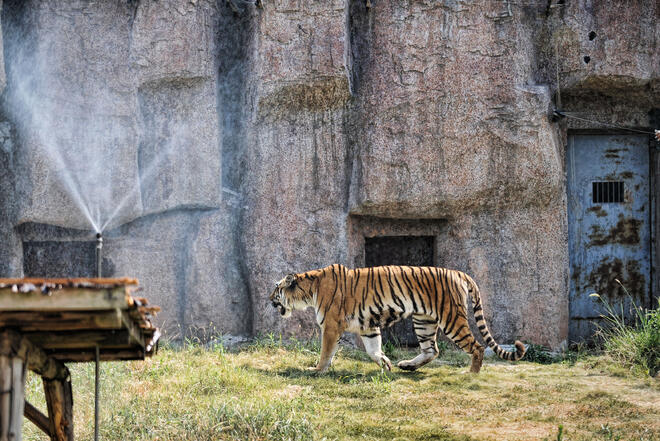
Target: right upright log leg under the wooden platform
[[59, 399]]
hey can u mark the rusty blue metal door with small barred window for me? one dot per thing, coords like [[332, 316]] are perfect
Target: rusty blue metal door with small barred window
[[609, 226]]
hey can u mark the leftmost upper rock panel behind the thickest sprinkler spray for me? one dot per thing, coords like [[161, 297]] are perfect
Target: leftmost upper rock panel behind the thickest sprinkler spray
[[74, 119]]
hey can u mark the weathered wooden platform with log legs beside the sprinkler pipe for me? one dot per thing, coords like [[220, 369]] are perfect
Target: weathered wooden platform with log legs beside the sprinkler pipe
[[45, 323]]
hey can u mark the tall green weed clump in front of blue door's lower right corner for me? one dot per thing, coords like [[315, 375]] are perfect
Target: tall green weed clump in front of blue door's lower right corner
[[635, 345]]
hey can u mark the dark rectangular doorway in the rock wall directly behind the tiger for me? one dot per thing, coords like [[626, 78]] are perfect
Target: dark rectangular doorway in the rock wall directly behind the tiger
[[399, 250]]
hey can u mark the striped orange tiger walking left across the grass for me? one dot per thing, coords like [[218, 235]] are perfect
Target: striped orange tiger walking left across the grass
[[363, 300]]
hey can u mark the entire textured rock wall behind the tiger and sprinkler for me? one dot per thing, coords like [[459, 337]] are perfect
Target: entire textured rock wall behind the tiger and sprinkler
[[240, 147]]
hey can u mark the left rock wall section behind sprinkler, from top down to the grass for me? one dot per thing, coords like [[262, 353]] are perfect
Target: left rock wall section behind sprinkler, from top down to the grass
[[115, 109]]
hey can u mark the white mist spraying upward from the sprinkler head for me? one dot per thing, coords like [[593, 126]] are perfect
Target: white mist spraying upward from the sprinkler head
[[87, 147]]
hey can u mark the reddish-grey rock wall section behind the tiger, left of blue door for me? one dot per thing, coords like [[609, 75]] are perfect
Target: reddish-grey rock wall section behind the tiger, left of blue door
[[418, 140]]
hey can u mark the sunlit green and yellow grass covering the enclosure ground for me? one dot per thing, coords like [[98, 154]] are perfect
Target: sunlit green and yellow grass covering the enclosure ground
[[264, 392]]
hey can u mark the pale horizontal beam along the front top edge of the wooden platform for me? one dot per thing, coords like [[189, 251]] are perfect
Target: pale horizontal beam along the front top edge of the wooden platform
[[71, 299]]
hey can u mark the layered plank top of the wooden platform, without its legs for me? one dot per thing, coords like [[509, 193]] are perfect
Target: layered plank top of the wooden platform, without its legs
[[67, 318]]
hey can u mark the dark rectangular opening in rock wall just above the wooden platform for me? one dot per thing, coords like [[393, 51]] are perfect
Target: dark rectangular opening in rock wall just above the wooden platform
[[59, 259]]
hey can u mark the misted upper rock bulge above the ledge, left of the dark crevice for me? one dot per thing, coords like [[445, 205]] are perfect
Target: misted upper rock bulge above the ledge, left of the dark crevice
[[123, 133]]
